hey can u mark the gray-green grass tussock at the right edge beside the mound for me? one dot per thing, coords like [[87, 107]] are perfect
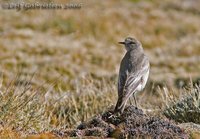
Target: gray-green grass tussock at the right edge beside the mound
[[186, 108]]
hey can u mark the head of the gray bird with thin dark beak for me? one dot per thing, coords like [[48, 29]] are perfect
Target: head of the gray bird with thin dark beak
[[131, 43]]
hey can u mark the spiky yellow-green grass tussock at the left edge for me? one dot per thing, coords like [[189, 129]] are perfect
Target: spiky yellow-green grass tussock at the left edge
[[19, 108]]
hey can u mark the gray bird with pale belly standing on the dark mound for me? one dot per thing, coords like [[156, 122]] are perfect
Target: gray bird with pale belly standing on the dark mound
[[133, 73]]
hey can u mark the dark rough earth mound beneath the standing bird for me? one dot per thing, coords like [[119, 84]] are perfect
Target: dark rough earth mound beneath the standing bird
[[133, 123]]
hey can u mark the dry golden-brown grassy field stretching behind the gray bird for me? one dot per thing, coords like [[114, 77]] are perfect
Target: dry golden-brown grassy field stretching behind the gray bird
[[59, 67]]
